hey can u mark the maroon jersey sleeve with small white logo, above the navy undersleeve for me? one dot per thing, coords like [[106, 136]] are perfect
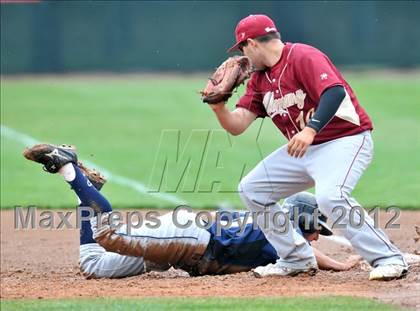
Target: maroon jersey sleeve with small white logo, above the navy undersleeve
[[315, 72]]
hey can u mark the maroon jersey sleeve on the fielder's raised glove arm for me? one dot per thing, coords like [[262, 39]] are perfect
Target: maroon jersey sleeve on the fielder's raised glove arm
[[252, 100]]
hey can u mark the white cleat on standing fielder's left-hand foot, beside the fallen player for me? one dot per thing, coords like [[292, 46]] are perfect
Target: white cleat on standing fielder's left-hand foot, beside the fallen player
[[278, 269]]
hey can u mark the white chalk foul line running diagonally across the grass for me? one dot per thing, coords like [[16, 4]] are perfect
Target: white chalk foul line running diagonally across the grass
[[27, 140]]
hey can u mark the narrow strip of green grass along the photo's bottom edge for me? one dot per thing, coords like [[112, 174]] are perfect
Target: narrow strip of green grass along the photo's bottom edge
[[289, 304]]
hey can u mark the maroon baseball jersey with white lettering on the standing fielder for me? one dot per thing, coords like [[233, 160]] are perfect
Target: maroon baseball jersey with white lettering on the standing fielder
[[290, 91]]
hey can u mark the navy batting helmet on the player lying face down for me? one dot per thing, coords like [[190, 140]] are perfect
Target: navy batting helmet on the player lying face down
[[305, 204]]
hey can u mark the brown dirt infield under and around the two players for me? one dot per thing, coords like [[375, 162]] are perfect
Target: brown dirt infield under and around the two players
[[44, 264]]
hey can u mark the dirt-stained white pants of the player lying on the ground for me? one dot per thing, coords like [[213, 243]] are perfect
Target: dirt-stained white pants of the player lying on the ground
[[143, 249]]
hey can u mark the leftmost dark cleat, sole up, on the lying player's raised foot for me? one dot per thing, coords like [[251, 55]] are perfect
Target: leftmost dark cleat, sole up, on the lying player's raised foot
[[53, 157]]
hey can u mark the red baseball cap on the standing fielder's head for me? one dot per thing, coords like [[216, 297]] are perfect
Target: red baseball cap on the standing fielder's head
[[251, 27]]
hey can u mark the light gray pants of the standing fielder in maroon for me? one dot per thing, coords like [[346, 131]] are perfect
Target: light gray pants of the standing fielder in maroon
[[334, 168]]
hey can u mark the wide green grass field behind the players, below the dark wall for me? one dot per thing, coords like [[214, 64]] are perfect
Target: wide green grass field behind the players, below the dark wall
[[130, 126]]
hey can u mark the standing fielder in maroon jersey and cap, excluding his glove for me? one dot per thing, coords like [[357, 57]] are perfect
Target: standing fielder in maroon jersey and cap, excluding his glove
[[329, 147]]
